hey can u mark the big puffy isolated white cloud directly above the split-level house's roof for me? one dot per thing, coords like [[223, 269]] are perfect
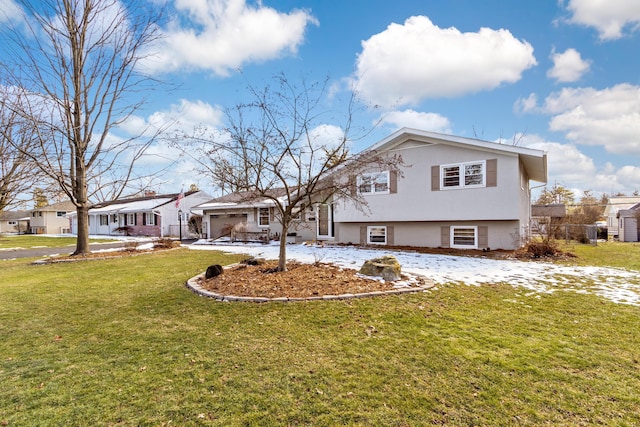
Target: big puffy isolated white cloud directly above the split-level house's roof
[[416, 60]]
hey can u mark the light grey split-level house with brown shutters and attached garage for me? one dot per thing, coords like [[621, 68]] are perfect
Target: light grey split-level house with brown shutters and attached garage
[[451, 192]]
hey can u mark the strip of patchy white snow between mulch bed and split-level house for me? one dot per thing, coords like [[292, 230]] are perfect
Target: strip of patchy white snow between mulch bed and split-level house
[[618, 285]]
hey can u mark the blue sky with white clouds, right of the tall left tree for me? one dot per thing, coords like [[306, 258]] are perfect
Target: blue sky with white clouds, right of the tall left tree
[[560, 76]]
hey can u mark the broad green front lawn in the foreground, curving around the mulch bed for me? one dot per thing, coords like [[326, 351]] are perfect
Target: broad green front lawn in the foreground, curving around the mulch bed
[[122, 342]]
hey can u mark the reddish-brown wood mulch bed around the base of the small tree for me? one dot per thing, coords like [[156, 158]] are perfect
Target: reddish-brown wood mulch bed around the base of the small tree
[[299, 281]]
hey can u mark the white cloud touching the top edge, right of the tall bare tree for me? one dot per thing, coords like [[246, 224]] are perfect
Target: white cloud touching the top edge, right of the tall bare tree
[[224, 35]]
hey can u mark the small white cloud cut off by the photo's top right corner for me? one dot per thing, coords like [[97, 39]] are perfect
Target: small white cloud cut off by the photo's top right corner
[[609, 17]]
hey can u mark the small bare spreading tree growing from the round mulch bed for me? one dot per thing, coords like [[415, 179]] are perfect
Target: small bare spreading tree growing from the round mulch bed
[[277, 147]]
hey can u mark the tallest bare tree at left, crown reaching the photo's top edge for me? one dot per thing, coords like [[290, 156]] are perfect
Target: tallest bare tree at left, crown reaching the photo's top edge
[[77, 70]]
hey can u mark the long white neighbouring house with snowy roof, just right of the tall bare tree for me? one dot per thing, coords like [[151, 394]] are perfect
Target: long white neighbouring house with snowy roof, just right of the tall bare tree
[[165, 215]]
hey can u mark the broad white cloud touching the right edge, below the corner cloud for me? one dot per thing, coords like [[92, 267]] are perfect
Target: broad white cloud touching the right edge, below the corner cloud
[[609, 118]]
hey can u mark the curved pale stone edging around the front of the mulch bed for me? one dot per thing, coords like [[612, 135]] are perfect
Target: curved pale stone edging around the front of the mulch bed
[[193, 285]]
